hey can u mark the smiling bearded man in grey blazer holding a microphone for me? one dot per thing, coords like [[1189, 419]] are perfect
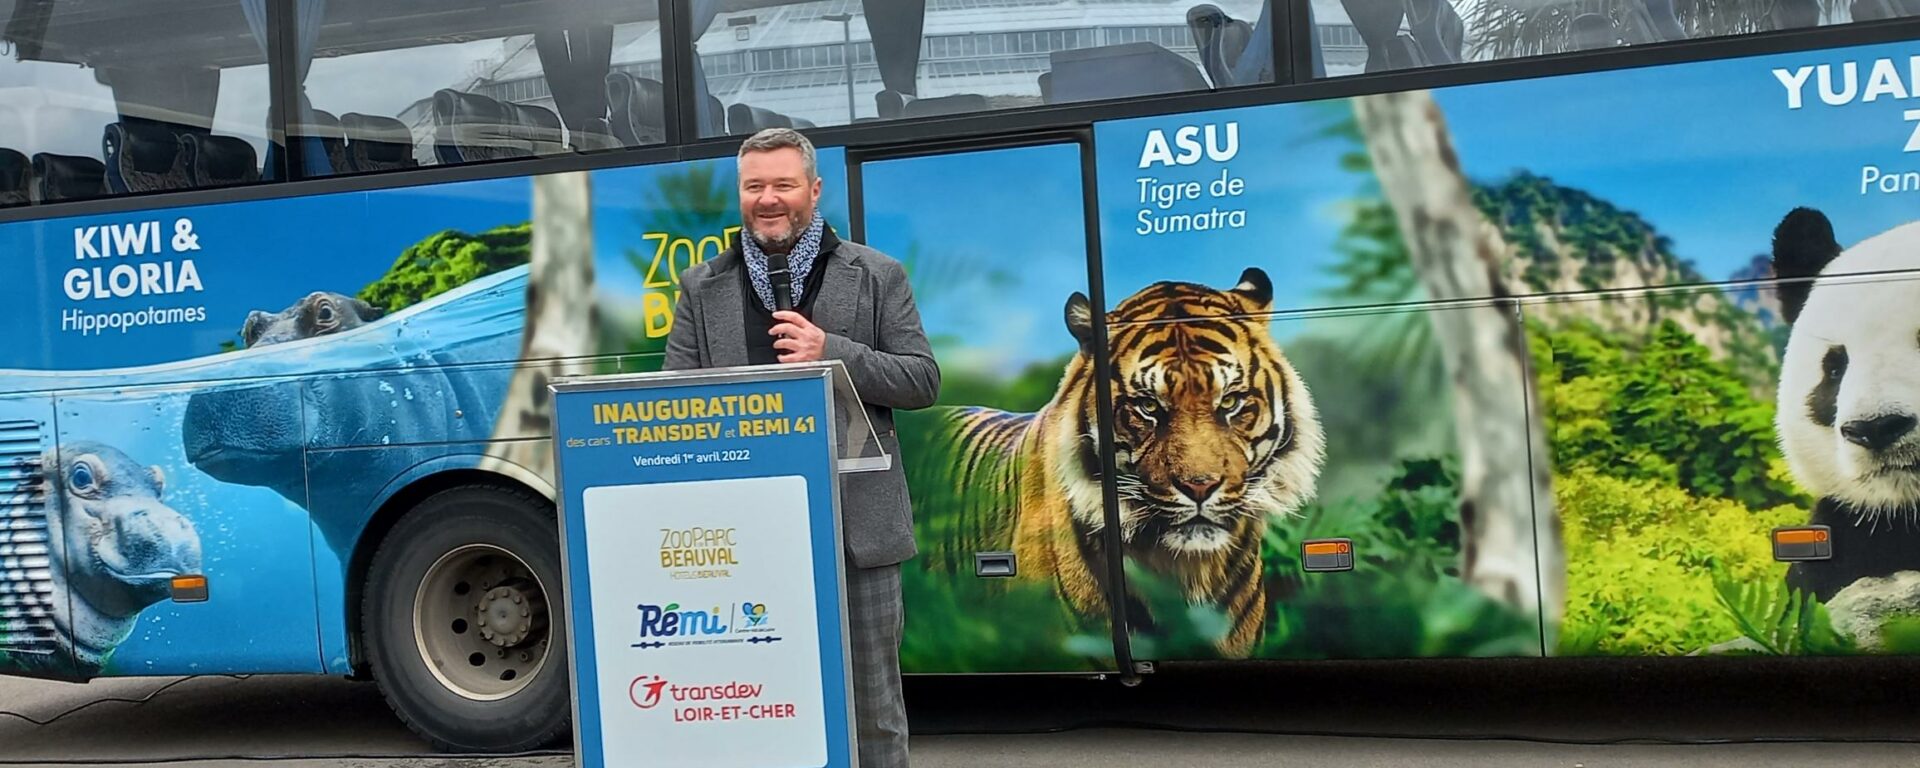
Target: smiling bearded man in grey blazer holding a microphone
[[852, 304]]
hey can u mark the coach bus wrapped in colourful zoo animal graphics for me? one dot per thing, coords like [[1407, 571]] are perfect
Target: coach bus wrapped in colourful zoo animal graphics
[[1268, 329]]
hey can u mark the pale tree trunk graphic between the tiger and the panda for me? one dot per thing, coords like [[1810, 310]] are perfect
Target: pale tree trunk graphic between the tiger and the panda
[[1510, 533]]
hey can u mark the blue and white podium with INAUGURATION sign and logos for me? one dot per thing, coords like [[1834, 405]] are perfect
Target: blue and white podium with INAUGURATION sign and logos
[[704, 564]]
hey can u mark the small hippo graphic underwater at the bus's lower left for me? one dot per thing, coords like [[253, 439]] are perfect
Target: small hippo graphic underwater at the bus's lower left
[[110, 550]]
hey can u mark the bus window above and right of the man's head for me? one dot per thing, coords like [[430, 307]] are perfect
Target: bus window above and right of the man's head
[[834, 62]]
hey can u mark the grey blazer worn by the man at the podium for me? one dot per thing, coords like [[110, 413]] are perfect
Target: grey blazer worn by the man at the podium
[[873, 325]]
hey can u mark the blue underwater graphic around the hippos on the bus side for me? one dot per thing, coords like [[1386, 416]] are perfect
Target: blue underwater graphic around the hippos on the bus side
[[266, 556]]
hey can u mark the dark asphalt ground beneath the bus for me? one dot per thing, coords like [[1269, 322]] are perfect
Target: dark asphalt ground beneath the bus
[[1433, 713]]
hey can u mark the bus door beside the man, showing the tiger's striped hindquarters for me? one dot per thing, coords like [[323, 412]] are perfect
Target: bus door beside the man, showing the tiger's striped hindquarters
[[1005, 471]]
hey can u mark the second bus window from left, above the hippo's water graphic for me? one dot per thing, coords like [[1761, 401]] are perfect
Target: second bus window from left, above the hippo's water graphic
[[396, 85]]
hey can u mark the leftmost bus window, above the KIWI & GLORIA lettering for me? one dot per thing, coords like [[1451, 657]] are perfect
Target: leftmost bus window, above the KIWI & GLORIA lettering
[[101, 99]]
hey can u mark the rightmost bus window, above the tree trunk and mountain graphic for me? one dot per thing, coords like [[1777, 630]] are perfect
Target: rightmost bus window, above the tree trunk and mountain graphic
[[1378, 36]]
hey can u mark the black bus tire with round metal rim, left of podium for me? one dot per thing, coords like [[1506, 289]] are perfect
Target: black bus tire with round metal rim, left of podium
[[464, 621]]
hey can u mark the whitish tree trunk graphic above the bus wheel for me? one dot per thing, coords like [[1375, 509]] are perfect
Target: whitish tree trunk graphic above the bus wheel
[[562, 322]]
